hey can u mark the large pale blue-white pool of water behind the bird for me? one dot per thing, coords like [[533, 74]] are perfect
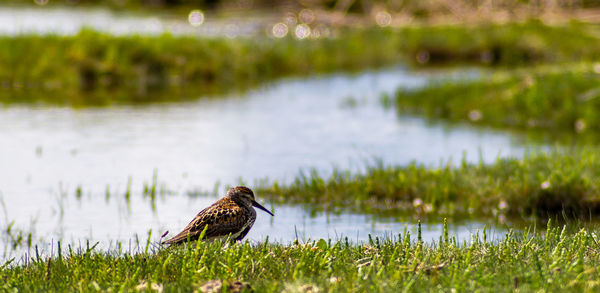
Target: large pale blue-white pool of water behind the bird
[[323, 122]]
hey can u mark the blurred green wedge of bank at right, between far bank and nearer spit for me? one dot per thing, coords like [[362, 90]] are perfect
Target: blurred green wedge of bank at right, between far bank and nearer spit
[[556, 98]]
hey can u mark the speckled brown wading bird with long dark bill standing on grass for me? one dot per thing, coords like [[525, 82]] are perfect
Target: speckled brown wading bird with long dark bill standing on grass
[[231, 217]]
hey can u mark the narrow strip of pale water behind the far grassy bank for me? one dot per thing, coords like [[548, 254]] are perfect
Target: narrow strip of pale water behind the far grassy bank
[[70, 20]]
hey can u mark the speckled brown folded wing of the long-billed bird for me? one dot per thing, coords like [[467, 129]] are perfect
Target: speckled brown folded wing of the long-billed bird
[[220, 219]]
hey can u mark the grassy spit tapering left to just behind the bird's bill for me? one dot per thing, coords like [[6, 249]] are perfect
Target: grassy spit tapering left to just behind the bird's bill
[[542, 184]]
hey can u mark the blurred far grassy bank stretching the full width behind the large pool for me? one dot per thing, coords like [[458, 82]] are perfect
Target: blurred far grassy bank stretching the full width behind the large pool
[[95, 68]]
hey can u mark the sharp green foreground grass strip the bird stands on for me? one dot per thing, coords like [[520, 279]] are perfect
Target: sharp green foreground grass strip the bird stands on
[[556, 260]]
